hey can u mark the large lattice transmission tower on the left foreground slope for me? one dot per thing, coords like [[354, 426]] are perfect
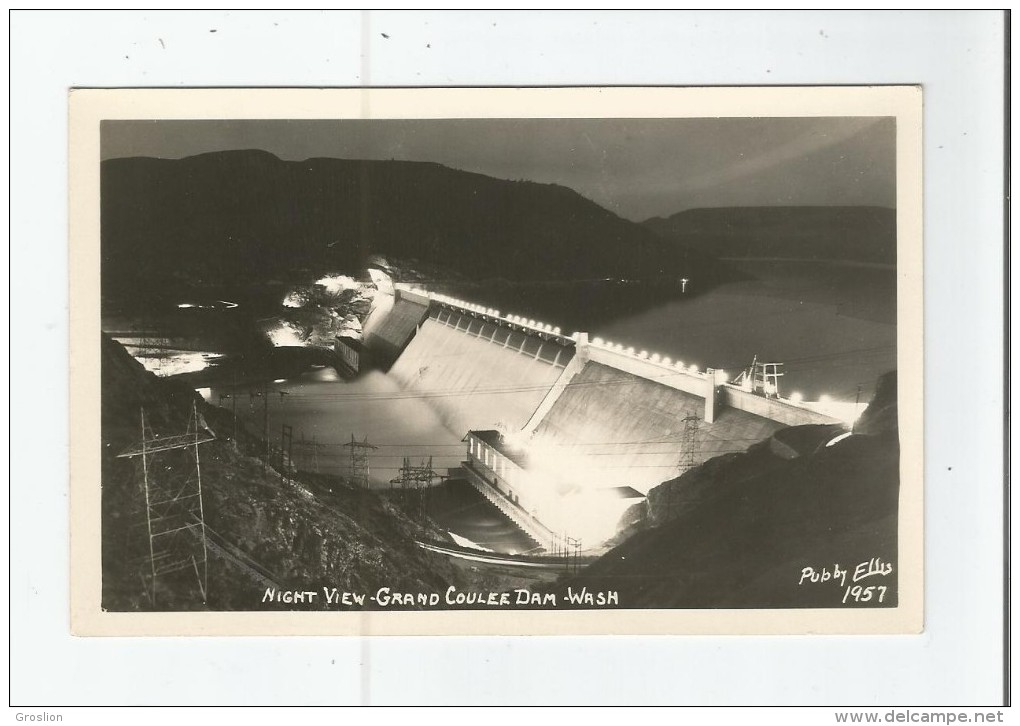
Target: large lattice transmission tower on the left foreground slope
[[172, 478]]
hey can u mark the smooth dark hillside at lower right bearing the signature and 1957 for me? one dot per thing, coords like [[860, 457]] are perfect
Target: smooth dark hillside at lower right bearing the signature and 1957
[[739, 531]]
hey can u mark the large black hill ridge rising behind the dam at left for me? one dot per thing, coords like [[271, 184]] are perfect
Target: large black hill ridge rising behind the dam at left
[[244, 216]]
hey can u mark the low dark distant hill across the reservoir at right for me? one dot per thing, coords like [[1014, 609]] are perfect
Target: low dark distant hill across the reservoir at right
[[852, 234]]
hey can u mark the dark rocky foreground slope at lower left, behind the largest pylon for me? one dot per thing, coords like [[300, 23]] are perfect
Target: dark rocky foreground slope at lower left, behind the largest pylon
[[301, 535]]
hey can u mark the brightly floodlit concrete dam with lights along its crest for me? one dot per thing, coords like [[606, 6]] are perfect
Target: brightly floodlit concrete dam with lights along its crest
[[563, 433]]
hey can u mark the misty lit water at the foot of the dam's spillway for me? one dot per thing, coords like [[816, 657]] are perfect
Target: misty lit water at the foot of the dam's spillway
[[320, 405]]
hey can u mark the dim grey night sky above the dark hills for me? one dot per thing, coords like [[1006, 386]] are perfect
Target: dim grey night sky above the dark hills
[[638, 169]]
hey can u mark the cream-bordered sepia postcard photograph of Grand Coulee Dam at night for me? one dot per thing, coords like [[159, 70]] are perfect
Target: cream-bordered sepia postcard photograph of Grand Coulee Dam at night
[[616, 362]]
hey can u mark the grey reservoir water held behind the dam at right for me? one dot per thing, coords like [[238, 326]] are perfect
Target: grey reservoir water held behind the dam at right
[[834, 337]]
